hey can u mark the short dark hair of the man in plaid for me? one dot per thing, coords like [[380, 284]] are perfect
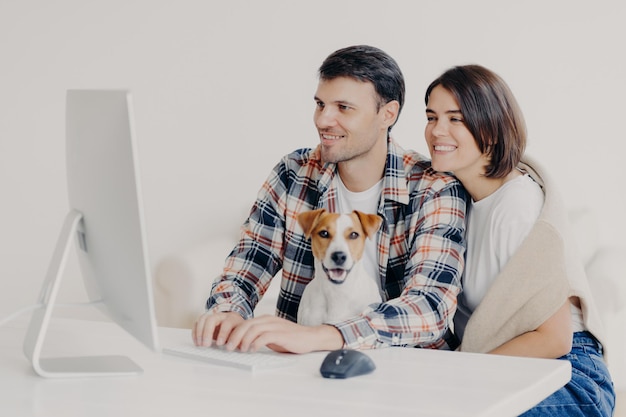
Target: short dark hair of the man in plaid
[[368, 64]]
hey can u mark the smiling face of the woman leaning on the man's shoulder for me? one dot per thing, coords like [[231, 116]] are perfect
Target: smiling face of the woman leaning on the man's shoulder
[[451, 145]]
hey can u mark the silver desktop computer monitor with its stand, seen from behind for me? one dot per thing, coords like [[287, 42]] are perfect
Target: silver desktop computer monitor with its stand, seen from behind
[[105, 225]]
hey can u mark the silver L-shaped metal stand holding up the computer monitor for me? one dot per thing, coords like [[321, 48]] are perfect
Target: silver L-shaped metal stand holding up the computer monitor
[[86, 366]]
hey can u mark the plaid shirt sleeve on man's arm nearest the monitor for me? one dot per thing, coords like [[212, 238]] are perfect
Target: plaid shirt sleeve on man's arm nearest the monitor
[[269, 242]]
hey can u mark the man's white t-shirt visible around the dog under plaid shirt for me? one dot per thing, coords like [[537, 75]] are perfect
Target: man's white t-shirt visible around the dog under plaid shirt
[[367, 202]]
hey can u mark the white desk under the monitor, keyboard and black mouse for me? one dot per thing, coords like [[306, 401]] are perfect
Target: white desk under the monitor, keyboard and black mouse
[[407, 382]]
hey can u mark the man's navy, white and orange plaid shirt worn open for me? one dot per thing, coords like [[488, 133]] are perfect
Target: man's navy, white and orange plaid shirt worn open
[[421, 247]]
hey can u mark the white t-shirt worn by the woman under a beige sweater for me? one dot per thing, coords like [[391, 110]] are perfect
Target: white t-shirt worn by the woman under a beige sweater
[[496, 226]]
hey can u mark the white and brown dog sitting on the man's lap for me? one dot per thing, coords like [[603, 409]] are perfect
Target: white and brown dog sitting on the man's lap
[[341, 287]]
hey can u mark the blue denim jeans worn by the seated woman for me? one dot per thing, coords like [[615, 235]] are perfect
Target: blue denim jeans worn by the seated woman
[[589, 392]]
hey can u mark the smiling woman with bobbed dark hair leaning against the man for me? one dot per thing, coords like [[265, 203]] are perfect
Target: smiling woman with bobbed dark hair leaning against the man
[[525, 292]]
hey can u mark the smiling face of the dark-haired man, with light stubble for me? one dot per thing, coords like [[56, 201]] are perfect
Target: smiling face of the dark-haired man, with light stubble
[[347, 119]]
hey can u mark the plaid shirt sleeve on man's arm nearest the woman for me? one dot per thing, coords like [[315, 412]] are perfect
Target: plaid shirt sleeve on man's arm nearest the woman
[[434, 243]]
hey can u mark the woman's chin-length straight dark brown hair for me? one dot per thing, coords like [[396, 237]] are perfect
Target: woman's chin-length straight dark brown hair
[[490, 113]]
